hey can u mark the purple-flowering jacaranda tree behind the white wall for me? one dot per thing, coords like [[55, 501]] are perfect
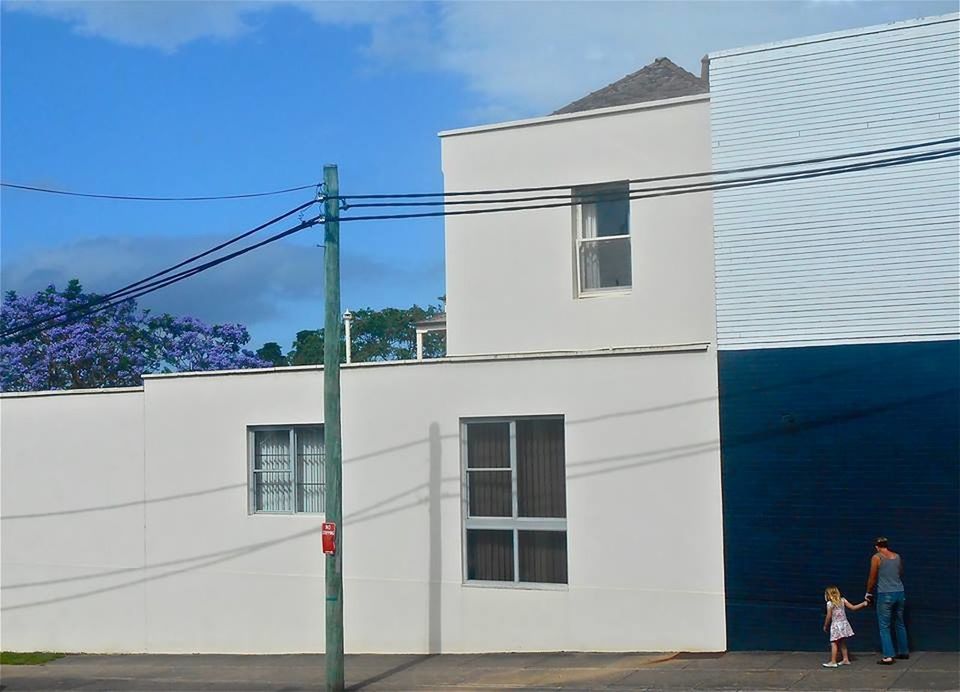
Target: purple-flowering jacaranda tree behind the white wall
[[112, 347]]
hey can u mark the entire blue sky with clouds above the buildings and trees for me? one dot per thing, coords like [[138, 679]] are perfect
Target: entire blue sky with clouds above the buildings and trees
[[188, 98]]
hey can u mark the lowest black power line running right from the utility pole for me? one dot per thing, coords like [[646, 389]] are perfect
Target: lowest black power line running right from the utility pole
[[676, 190]]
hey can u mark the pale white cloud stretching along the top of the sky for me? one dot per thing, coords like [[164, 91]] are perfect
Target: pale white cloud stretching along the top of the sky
[[518, 58]]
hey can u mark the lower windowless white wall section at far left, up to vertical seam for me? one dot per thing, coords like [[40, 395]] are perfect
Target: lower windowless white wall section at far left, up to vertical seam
[[72, 522]]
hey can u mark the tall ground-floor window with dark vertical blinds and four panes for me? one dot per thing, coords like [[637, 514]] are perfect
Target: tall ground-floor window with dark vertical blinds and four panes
[[515, 500]]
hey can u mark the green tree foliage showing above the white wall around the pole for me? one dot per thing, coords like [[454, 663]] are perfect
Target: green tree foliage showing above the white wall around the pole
[[376, 335]]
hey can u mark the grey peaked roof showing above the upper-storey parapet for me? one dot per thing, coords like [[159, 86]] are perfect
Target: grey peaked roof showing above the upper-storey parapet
[[661, 79]]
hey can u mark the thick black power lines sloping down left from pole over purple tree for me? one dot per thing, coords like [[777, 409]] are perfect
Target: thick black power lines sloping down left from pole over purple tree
[[149, 284]]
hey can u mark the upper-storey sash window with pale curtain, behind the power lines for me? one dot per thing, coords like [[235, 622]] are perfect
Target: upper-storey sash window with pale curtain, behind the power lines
[[602, 219]]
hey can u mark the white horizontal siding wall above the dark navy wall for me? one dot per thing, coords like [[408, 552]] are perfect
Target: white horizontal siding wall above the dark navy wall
[[865, 256]]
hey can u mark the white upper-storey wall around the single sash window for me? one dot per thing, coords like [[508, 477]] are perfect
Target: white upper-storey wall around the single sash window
[[512, 278]]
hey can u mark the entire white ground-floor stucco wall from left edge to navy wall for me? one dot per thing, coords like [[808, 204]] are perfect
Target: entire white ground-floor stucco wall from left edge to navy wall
[[645, 542]]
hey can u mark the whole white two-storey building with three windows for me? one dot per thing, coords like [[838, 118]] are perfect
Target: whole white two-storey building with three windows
[[552, 484]]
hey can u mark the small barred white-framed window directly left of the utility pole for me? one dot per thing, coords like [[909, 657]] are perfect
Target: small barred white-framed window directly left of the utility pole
[[286, 469]]
